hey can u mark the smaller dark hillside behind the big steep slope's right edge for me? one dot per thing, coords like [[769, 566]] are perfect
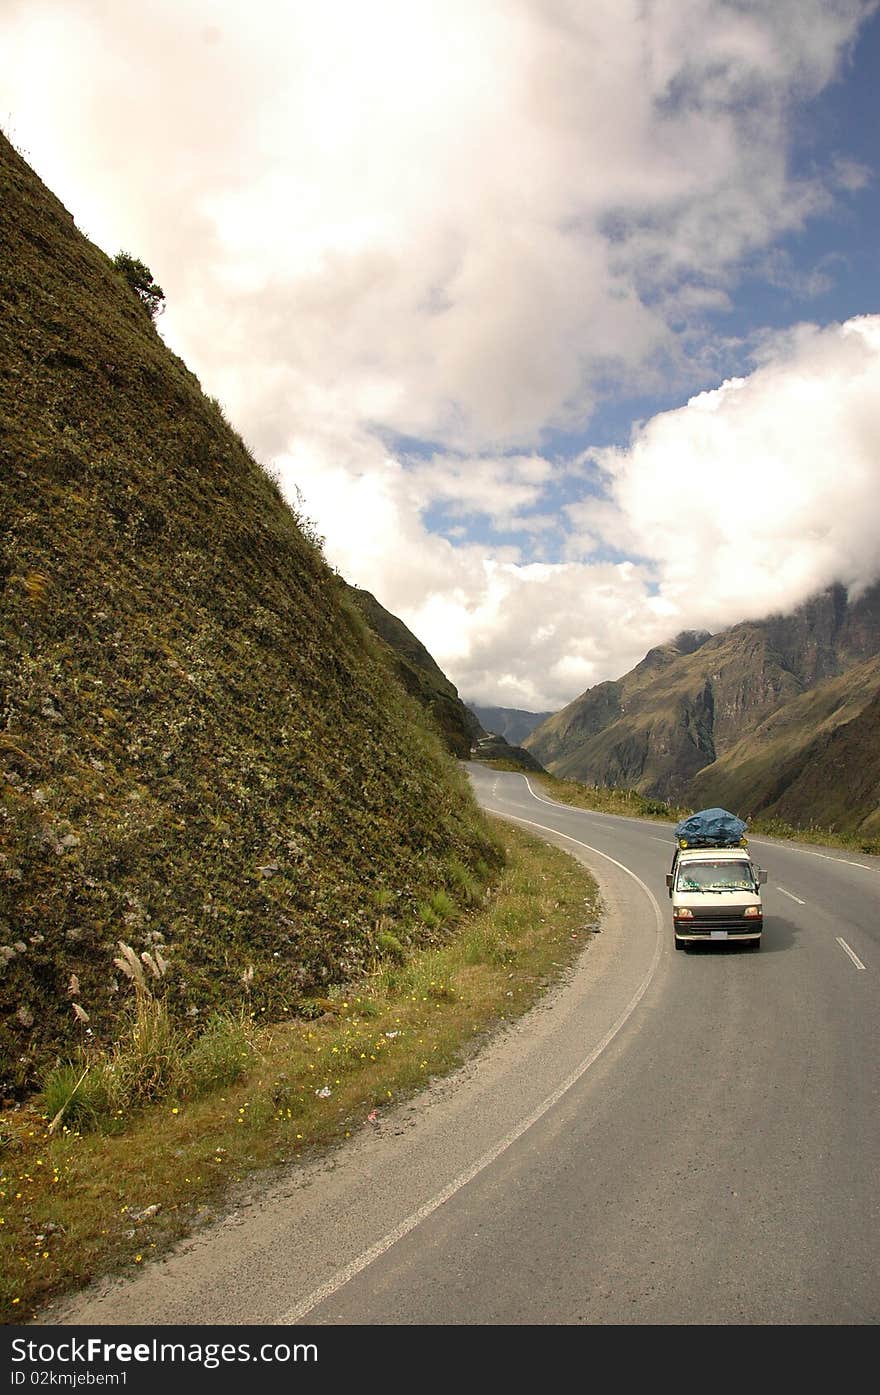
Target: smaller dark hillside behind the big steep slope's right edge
[[422, 677]]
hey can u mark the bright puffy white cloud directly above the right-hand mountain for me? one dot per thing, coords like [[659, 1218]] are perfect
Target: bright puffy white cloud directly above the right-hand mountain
[[762, 492]]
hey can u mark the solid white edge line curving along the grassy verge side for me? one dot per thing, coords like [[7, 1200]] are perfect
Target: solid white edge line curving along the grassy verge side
[[418, 1217]]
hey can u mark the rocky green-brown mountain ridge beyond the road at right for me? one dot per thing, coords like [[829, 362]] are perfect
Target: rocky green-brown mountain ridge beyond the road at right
[[744, 719]]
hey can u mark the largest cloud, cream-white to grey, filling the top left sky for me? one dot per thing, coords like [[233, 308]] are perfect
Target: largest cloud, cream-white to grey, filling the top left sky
[[426, 216]]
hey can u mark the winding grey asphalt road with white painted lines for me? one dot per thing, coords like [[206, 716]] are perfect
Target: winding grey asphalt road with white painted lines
[[667, 1139]]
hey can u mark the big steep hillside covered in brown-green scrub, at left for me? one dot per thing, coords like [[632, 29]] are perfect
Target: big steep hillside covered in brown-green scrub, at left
[[203, 746]]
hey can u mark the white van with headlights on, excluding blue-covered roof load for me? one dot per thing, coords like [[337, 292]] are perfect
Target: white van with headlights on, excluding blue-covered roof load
[[716, 896]]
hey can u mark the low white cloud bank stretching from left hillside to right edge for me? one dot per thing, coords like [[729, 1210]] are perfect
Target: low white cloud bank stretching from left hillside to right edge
[[747, 500]]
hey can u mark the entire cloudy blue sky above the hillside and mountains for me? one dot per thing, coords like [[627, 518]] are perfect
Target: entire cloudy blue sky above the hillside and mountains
[[497, 289]]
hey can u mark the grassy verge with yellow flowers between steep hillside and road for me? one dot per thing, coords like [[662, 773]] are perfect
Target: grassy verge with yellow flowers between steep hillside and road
[[77, 1203]]
